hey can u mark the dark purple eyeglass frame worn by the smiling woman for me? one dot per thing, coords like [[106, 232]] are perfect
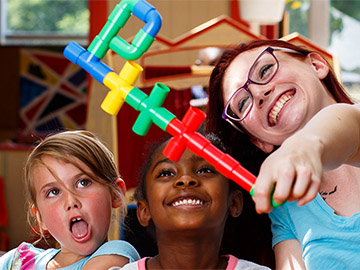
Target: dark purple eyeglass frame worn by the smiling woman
[[249, 81]]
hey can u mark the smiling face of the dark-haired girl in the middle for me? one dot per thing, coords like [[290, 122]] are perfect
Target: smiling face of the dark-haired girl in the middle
[[187, 195]]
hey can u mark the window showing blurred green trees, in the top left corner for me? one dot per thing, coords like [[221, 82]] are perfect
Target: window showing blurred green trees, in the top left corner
[[43, 22]]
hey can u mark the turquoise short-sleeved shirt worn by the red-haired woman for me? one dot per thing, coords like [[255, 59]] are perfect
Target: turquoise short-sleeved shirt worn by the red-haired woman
[[328, 241]]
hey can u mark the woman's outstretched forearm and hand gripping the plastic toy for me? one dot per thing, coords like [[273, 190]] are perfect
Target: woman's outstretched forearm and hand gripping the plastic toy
[[331, 138]]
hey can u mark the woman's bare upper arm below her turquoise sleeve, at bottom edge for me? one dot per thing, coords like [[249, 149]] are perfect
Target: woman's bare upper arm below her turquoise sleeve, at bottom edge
[[288, 255]]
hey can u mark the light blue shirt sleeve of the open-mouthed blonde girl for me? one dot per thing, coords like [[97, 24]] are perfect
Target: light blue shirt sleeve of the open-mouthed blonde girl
[[117, 247]]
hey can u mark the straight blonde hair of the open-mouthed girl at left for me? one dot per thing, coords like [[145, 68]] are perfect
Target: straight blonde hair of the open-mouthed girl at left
[[69, 147]]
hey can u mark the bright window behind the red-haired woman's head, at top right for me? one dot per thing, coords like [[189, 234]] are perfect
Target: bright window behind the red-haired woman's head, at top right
[[344, 40]]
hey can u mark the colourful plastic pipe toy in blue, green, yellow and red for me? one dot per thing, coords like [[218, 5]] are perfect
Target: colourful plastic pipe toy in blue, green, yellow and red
[[121, 87]]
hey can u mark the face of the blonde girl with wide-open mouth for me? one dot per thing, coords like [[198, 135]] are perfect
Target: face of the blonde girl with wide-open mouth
[[74, 208]]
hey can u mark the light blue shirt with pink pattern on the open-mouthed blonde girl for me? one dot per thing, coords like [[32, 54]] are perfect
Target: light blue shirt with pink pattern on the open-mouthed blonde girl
[[26, 256]]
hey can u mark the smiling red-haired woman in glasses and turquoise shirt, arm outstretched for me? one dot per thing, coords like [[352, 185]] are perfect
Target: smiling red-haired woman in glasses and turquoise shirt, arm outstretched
[[265, 94]]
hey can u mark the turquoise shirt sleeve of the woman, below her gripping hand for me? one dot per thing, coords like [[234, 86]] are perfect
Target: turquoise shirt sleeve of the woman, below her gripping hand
[[281, 226]]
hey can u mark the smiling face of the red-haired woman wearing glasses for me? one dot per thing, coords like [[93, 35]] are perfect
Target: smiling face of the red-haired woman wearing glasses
[[287, 102]]
